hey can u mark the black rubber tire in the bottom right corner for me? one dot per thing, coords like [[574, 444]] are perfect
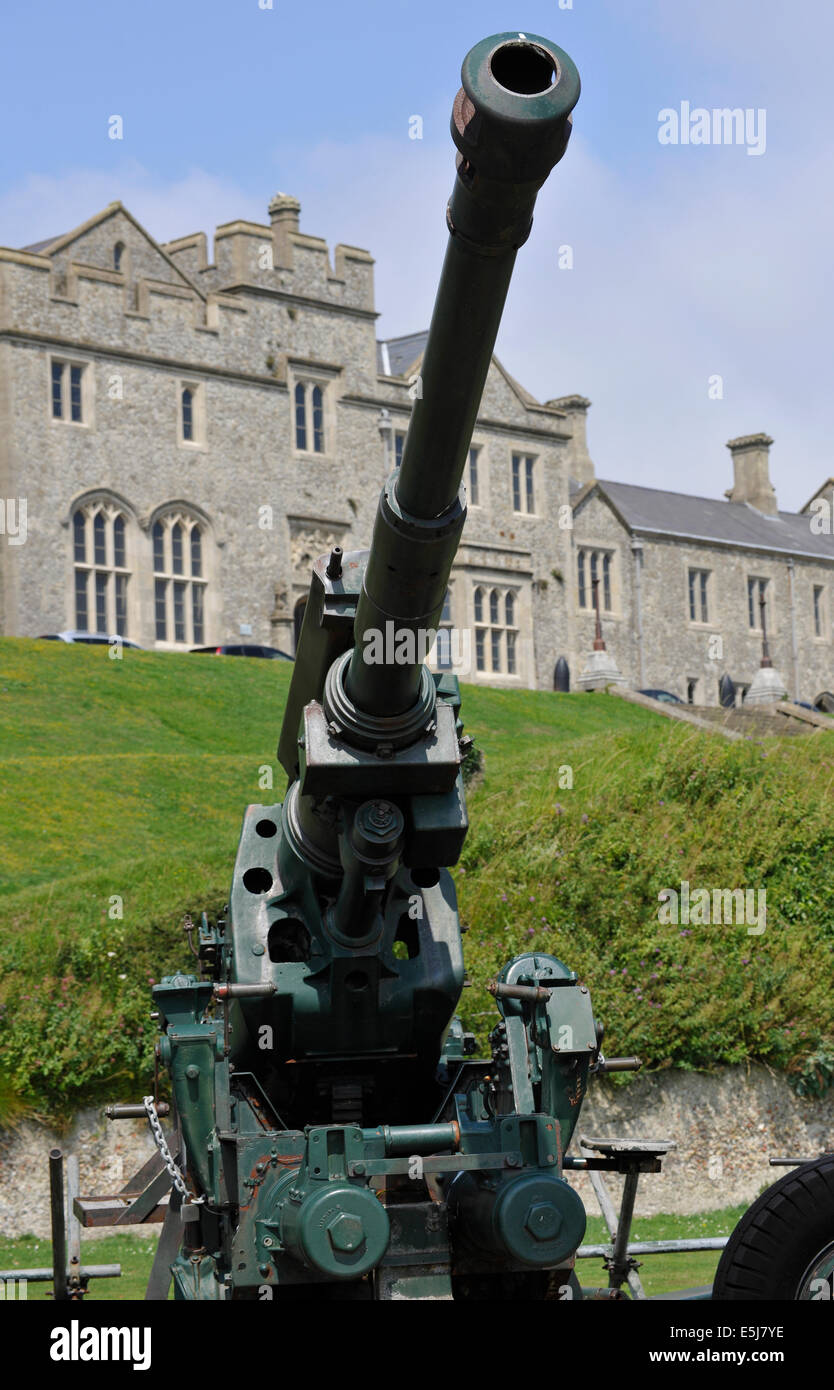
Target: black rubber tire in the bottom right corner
[[778, 1241]]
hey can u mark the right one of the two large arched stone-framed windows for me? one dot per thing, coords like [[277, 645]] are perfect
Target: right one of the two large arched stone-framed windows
[[169, 516]]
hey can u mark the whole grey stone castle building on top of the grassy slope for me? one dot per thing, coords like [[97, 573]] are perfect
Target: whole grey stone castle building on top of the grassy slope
[[181, 437]]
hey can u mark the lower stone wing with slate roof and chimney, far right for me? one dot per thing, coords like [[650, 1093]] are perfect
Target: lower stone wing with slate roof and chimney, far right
[[682, 580]]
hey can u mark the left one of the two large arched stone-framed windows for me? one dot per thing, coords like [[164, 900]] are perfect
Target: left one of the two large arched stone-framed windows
[[109, 508]]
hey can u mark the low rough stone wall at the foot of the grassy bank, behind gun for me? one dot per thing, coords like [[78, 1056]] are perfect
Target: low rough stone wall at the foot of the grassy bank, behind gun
[[726, 1125]]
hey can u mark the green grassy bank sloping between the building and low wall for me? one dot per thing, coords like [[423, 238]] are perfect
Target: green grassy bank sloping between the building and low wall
[[124, 785]]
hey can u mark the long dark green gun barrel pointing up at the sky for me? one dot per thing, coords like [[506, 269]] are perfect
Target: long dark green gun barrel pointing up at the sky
[[511, 123]]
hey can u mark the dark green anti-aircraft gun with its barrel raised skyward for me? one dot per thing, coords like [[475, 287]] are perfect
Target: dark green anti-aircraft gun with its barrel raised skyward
[[340, 1136]]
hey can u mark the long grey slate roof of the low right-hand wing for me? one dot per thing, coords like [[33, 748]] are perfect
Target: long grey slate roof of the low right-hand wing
[[653, 511]]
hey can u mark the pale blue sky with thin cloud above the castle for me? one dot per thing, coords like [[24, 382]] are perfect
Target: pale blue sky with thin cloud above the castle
[[690, 262]]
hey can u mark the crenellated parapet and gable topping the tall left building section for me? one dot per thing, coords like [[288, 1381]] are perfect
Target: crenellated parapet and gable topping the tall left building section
[[111, 287]]
